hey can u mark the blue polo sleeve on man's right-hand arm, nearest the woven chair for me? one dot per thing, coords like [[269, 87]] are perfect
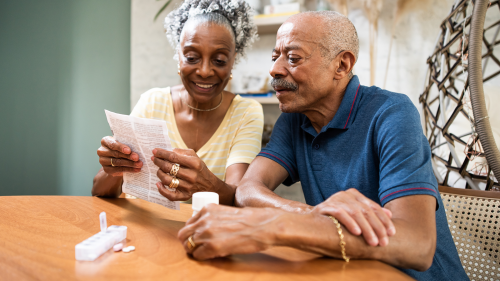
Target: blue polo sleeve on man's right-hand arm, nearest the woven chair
[[405, 156]]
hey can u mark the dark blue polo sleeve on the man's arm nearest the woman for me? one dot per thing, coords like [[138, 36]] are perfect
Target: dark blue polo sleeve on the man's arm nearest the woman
[[280, 147]]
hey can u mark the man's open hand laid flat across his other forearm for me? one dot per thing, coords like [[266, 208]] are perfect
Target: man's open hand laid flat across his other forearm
[[359, 215]]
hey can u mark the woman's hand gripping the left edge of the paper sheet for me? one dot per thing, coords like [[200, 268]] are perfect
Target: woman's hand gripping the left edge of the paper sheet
[[117, 158]]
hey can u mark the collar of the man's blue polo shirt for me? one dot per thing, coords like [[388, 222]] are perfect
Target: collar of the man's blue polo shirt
[[343, 117]]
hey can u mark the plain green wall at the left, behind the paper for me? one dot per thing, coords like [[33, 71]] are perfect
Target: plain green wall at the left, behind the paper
[[61, 64]]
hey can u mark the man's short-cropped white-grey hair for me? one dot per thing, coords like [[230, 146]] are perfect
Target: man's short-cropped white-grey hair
[[339, 34]]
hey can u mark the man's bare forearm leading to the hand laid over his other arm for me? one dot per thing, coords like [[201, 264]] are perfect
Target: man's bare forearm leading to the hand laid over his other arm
[[256, 194]]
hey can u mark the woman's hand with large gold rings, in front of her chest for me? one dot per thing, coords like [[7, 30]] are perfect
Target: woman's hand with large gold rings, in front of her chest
[[193, 174]]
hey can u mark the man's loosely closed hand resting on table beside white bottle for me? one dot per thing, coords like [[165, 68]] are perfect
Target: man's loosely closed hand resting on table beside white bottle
[[218, 231]]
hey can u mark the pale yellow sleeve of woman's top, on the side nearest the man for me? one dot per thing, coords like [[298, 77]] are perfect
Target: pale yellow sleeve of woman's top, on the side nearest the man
[[248, 138]]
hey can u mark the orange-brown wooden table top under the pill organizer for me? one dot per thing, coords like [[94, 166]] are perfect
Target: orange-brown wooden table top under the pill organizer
[[38, 235]]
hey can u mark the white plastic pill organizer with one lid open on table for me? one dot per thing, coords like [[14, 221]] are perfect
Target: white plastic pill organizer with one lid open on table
[[93, 247]]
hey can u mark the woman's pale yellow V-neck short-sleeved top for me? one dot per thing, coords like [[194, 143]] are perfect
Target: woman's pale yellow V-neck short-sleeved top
[[237, 140]]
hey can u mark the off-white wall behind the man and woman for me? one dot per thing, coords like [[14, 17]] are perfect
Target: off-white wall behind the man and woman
[[153, 66]]
